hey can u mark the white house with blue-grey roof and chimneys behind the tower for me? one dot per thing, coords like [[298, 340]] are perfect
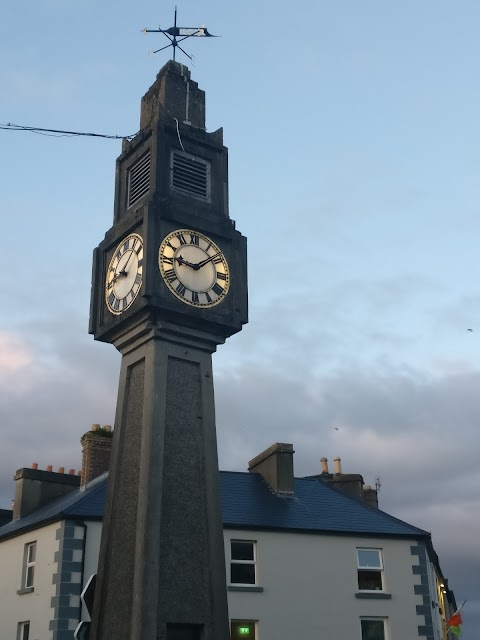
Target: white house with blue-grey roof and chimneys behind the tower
[[304, 559]]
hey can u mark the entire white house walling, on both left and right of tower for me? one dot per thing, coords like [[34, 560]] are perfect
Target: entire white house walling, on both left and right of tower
[[306, 584]]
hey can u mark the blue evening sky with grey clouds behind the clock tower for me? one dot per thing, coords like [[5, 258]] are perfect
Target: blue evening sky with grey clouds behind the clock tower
[[354, 155]]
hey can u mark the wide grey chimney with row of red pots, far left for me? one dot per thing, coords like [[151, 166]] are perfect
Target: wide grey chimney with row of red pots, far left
[[34, 488]]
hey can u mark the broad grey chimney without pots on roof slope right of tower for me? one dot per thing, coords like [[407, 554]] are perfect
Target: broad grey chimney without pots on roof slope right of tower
[[275, 465]]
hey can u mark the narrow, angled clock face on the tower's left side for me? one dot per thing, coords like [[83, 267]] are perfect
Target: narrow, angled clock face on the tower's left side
[[124, 274]]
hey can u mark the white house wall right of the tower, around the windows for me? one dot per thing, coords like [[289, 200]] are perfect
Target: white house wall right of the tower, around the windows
[[310, 587]]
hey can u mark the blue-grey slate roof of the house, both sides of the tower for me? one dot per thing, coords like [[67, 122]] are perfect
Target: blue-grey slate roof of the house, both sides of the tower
[[248, 502]]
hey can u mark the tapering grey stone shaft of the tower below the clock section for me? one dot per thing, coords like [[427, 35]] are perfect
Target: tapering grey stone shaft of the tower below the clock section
[[162, 566]]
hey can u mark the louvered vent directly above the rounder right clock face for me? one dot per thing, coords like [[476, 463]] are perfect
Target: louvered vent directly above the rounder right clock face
[[190, 175]]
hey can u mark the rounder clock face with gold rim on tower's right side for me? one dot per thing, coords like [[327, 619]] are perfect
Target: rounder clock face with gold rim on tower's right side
[[193, 268]]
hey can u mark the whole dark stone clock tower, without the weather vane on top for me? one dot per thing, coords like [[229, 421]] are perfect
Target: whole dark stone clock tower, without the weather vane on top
[[169, 284]]
